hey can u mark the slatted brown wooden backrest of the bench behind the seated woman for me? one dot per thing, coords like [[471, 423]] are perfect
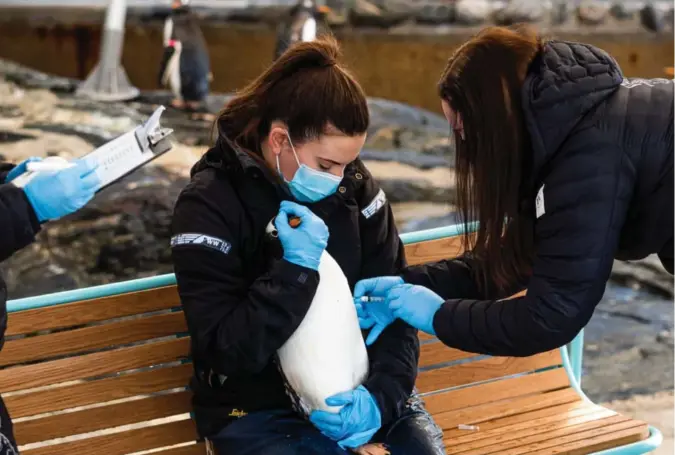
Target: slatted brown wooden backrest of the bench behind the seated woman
[[114, 372]]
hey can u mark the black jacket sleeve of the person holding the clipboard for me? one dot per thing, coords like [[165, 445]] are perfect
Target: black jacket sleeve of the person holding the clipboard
[[18, 227]]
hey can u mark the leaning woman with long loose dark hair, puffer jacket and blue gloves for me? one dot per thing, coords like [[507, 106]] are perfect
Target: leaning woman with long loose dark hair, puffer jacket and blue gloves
[[566, 165]]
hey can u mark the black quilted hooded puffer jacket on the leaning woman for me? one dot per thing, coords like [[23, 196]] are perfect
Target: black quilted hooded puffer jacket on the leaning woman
[[602, 149]]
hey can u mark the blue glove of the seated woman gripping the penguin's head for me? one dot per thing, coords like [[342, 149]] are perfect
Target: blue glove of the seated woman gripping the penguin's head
[[304, 244]]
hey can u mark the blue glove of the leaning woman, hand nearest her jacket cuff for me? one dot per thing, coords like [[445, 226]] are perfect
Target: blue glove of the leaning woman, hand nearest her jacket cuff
[[416, 305]]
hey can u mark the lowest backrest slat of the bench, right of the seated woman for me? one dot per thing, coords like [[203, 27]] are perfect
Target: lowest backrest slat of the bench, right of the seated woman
[[536, 383]]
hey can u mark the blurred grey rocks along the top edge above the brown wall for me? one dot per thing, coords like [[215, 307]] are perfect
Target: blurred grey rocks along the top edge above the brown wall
[[653, 16]]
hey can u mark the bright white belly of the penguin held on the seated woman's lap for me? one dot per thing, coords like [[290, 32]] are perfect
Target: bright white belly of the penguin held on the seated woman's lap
[[326, 354]]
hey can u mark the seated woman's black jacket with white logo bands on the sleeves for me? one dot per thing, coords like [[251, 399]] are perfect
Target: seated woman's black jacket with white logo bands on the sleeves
[[242, 302]]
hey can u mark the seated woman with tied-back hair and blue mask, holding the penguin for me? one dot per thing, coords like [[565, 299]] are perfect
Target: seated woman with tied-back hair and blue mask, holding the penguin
[[288, 145]]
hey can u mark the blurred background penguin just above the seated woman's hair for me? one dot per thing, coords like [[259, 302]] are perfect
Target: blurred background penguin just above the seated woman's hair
[[301, 25]]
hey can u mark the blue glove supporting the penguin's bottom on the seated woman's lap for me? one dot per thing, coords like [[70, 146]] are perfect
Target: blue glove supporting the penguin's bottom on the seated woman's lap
[[355, 424]]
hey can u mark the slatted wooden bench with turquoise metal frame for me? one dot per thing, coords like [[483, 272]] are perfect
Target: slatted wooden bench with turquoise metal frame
[[108, 374]]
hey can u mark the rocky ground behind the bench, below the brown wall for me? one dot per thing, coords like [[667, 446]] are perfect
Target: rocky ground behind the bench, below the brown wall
[[124, 232]]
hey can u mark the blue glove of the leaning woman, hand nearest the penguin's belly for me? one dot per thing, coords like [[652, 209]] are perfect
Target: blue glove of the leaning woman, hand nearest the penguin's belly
[[375, 314]]
